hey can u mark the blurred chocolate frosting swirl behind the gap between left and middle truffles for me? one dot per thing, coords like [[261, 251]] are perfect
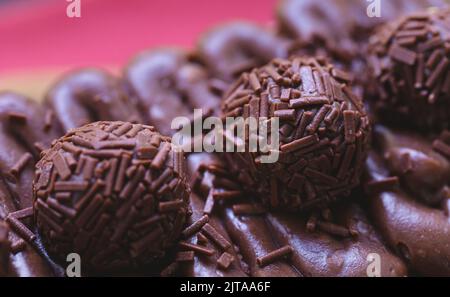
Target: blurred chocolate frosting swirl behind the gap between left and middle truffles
[[168, 84]]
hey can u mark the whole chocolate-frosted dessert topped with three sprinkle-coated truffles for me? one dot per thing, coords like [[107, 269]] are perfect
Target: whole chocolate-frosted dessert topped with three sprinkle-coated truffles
[[318, 146]]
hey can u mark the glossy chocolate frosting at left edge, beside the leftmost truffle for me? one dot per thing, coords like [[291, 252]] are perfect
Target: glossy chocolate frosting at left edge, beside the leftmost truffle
[[22, 124]]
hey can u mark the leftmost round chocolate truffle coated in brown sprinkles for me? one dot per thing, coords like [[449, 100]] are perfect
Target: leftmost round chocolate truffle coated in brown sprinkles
[[113, 192]]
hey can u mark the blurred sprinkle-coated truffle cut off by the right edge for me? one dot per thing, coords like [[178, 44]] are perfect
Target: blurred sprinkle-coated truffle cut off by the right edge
[[409, 62]]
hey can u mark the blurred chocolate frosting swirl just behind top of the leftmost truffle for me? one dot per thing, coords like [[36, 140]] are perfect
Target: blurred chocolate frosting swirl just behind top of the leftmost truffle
[[89, 95]]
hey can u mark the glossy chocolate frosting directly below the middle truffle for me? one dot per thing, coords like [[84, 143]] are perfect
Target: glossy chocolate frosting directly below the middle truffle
[[315, 253]]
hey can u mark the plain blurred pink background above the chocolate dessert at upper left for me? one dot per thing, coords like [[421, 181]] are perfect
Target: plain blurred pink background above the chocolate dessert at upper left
[[37, 35]]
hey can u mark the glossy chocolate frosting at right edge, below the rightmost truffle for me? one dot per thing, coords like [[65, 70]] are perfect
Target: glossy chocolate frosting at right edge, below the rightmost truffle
[[412, 217]]
